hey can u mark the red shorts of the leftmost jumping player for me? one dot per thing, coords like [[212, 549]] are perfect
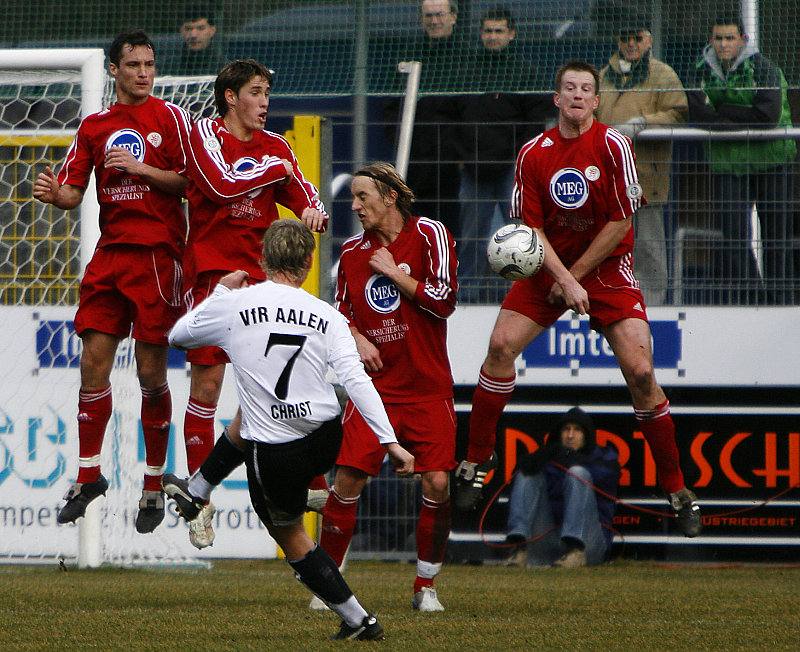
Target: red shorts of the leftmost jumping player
[[131, 284]]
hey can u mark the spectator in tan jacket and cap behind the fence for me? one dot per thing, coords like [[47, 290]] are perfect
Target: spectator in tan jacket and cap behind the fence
[[639, 91]]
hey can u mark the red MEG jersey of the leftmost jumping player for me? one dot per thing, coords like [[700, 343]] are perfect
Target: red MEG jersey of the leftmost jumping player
[[131, 210]]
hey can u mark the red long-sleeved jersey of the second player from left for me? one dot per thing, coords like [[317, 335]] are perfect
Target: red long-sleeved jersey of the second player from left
[[233, 190]]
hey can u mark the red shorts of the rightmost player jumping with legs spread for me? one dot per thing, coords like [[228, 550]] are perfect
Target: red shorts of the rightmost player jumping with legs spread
[[613, 295]]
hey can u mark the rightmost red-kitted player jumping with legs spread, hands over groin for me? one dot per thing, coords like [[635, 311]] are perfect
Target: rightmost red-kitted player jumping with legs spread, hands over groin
[[576, 186]]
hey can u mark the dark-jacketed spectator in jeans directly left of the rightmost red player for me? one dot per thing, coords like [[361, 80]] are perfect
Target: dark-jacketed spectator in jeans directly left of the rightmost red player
[[493, 125]]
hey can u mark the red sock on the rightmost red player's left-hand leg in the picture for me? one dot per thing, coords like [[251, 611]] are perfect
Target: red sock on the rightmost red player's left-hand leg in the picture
[[490, 398]]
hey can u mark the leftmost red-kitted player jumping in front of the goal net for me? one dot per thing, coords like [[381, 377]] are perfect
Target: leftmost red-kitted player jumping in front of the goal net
[[137, 149]]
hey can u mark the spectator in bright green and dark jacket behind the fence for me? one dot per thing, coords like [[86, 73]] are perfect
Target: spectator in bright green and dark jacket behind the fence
[[741, 88]]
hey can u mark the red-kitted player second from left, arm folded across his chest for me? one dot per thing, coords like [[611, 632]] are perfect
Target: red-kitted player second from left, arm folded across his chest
[[239, 173]]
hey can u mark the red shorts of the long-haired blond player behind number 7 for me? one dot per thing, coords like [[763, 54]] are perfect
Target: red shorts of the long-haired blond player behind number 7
[[426, 430]]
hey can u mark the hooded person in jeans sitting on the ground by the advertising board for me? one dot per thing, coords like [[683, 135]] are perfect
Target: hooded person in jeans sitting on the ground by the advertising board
[[563, 496]]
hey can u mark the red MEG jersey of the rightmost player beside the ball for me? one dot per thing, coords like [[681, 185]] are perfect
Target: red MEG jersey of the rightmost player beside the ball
[[572, 187]]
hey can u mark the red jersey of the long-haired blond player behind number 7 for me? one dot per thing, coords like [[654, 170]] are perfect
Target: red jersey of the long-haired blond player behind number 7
[[411, 336]]
